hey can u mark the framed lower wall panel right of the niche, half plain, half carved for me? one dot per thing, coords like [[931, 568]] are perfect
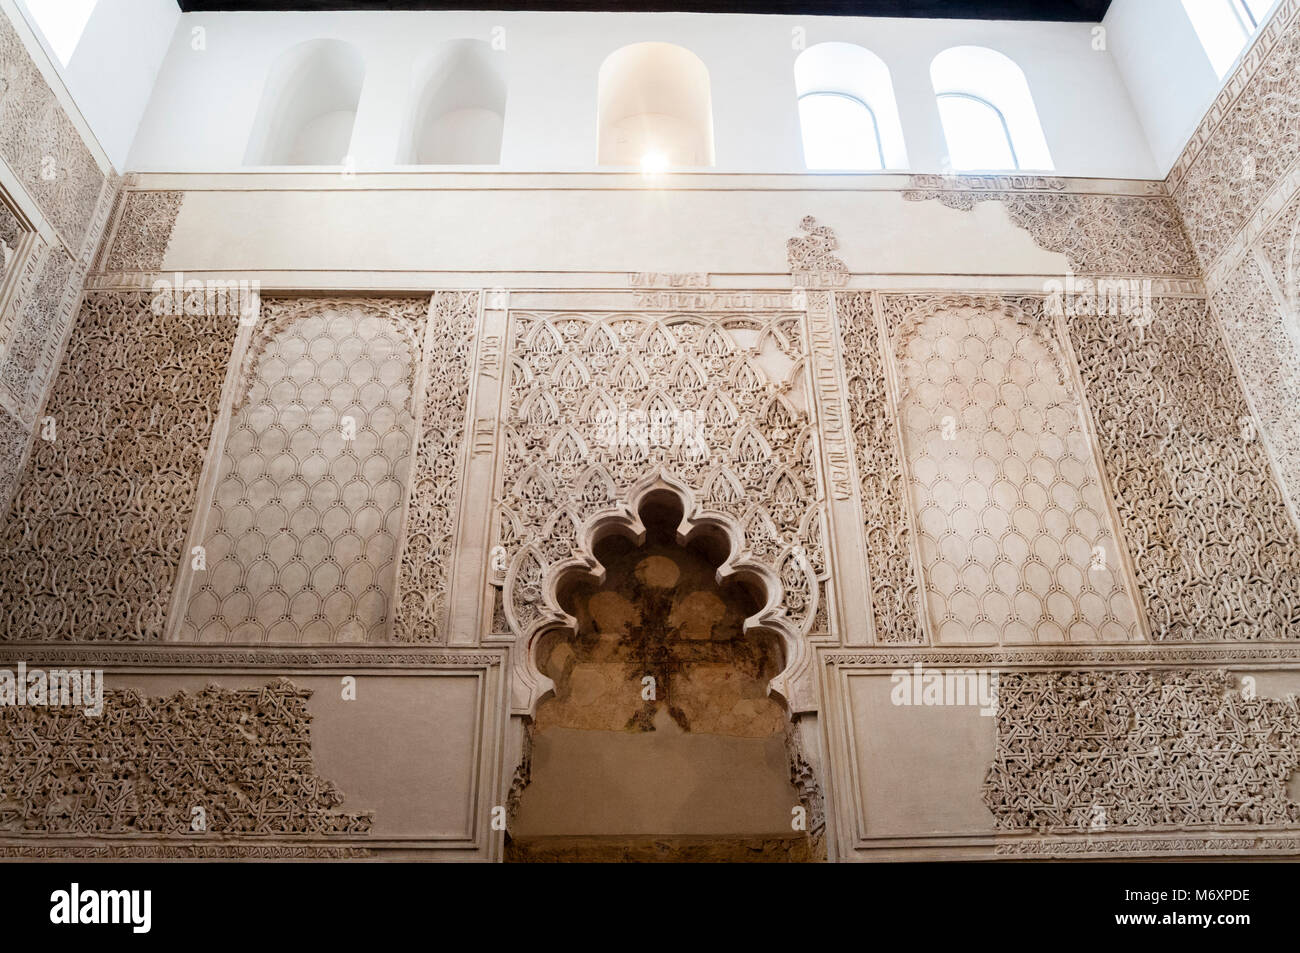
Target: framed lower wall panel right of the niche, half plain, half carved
[[1129, 759]]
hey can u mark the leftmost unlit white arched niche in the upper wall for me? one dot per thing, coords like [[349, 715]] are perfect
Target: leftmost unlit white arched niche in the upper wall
[[309, 106]]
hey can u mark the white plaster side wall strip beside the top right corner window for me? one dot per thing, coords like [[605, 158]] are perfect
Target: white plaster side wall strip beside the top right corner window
[[1167, 71]]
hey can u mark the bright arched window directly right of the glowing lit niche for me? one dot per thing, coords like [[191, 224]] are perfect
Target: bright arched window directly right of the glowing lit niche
[[848, 114]]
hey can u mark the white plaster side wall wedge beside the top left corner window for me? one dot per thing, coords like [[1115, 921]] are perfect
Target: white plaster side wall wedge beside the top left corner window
[[112, 71]]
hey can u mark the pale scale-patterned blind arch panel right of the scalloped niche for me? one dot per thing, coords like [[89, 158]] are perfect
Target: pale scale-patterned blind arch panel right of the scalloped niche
[[1012, 517]]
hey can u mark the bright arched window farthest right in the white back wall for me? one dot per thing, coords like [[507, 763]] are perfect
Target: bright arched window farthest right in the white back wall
[[987, 111]]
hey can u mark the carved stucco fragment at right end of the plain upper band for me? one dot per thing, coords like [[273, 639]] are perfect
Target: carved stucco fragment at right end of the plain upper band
[[1099, 235]]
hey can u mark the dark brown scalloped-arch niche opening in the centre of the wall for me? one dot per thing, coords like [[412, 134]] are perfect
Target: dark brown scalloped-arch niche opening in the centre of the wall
[[661, 740]]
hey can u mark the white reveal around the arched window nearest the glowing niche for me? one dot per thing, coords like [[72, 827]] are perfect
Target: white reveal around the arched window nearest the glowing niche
[[850, 71]]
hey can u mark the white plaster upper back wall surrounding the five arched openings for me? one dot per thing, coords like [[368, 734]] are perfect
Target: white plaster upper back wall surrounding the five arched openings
[[205, 102]]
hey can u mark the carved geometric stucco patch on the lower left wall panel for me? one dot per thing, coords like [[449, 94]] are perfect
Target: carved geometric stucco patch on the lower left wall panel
[[242, 756]]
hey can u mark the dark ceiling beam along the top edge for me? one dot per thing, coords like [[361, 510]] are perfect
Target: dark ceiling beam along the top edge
[[1076, 11]]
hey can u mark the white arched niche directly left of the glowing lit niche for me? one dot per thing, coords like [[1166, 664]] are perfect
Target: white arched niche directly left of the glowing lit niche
[[460, 107]]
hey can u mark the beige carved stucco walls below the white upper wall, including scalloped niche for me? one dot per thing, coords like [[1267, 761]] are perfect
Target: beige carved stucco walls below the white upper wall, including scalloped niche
[[954, 513]]
